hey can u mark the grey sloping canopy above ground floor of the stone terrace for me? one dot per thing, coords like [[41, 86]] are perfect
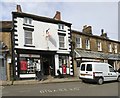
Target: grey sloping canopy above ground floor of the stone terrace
[[96, 55]]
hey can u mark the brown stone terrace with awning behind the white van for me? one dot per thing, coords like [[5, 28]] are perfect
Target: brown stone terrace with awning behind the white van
[[88, 47]]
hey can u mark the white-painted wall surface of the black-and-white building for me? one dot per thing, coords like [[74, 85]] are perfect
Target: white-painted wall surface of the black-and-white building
[[41, 42]]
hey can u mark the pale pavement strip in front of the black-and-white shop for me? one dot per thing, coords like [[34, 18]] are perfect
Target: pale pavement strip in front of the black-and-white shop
[[34, 81]]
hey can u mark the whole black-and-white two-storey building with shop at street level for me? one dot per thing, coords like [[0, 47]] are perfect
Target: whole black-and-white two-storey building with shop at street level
[[41, 38]]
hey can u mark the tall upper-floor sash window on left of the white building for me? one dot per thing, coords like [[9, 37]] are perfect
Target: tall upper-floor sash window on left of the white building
[[28, 37]]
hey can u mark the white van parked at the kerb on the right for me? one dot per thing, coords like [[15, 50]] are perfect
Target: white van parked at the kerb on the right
[[98, 72]]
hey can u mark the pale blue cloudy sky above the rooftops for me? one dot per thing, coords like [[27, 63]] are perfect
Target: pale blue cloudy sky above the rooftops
[[100, 14]]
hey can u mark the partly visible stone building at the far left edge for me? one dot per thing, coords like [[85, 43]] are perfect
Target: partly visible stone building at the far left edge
[[5, 50]]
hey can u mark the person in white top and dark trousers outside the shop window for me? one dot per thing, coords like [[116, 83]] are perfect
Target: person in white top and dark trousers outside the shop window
[[38, 70]]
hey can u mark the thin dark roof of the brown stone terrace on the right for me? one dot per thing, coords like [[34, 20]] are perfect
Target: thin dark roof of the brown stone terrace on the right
[[95, 36]]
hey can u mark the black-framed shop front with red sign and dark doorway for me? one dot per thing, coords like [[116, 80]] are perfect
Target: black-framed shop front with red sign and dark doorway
[[26, 63]]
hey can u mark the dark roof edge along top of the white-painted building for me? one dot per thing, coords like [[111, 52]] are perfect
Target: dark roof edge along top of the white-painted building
[[40, 18]]
